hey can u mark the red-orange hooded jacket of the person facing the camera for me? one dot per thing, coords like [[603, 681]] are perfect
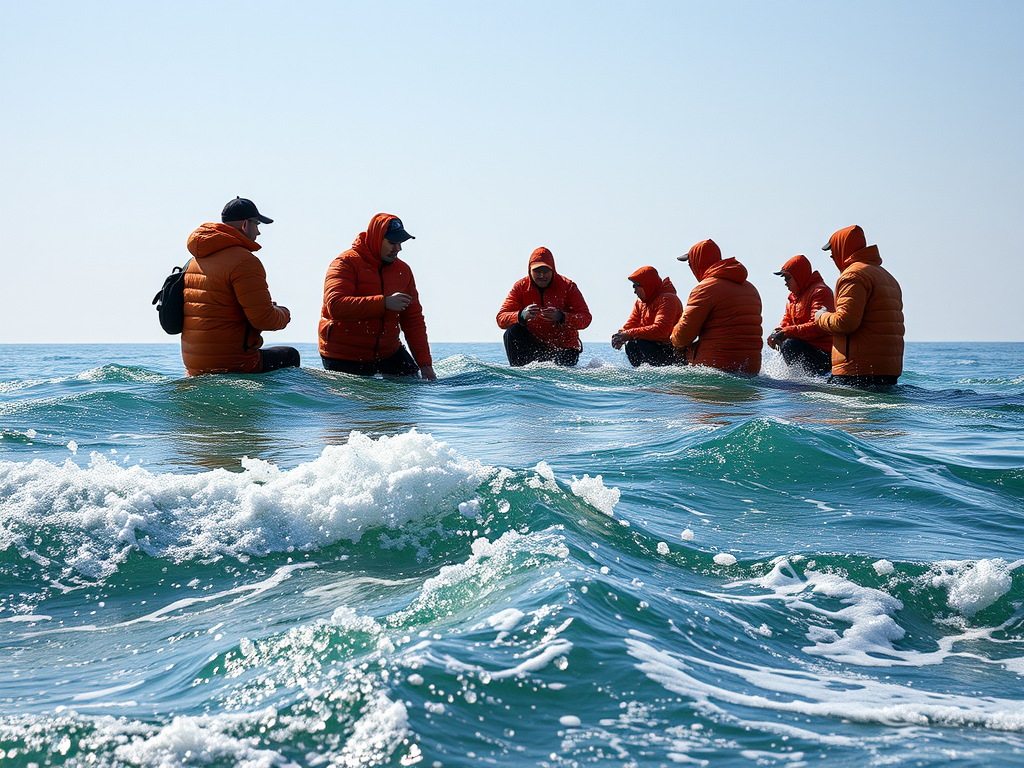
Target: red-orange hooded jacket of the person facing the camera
[[562, 294]]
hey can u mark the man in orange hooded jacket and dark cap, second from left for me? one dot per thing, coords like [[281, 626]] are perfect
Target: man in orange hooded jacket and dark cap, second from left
[[369, 297]]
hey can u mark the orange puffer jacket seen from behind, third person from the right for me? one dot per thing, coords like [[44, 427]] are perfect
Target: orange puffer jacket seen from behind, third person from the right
[[722, 315]]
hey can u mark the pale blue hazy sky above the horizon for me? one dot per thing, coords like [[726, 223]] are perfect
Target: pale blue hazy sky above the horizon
[[617, 135]]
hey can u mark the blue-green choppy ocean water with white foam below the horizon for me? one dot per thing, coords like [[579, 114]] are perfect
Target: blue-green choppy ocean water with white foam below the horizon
[[535, 567]]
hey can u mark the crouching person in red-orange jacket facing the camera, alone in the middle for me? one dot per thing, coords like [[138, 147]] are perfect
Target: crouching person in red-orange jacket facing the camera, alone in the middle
[[543, 316]]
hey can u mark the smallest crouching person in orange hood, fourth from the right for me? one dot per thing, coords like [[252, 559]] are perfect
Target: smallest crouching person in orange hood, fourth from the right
[[648, 333]]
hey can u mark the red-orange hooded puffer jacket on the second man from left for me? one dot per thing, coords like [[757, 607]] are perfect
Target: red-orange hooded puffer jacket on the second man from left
[[355, 325]]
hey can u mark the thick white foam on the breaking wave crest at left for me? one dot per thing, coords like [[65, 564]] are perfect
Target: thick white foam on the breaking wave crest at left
[[104, 511]]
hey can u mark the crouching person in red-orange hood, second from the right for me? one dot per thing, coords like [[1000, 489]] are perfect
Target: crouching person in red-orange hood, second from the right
[[798, 336]]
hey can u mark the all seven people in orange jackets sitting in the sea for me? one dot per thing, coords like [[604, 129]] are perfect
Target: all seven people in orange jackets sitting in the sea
[[856, 336]]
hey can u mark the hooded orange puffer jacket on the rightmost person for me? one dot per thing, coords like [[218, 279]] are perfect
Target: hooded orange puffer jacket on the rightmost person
[[868, 325]]
